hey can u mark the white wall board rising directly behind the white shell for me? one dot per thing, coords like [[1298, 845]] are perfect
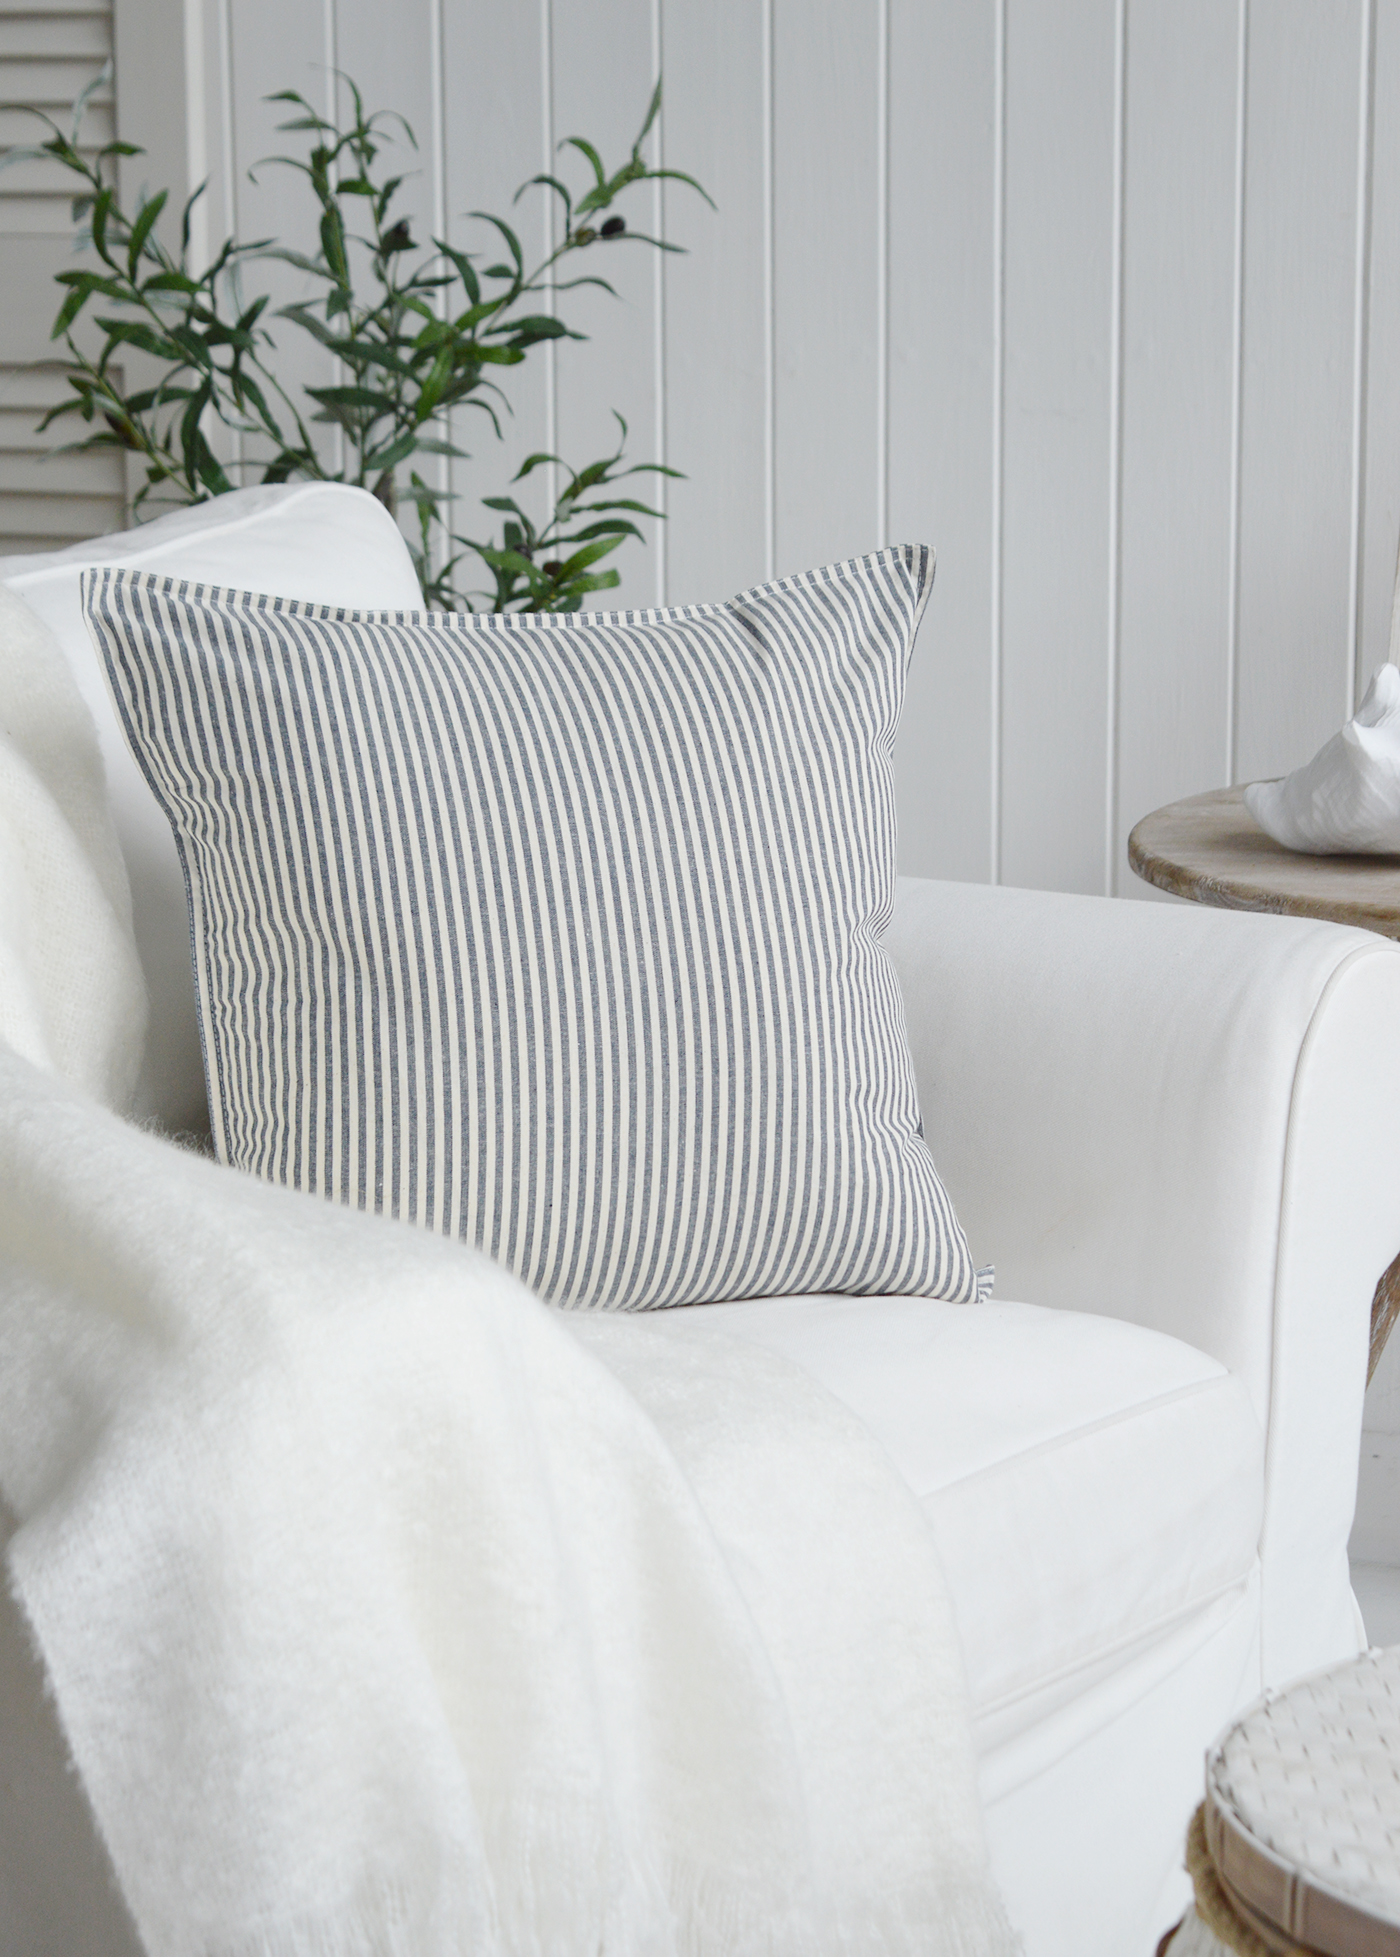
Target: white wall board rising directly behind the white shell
[[1297, 437]]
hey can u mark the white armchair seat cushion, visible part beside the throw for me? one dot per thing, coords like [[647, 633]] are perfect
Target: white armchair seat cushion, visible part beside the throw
[[1092, 1484]]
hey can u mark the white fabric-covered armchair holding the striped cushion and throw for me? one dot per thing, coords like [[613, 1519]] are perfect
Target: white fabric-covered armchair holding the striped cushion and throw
[[1176, 1136]]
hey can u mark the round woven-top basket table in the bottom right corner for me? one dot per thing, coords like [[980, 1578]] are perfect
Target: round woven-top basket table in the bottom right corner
[[1297, 1846]]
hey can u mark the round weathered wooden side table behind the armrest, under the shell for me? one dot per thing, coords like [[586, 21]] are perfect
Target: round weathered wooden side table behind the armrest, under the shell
[[1211, 850]]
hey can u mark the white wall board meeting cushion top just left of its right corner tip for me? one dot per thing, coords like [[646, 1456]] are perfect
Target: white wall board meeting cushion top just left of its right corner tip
[[827, 259]]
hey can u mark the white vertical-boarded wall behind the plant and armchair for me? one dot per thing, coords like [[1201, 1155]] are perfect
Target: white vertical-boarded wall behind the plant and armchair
[[982, 273]]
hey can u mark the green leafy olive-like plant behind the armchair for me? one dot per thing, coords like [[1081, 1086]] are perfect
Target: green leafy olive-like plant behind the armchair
[[416, 334]]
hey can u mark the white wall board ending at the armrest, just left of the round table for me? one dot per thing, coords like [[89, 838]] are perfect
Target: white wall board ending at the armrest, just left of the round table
[[1058, 471]]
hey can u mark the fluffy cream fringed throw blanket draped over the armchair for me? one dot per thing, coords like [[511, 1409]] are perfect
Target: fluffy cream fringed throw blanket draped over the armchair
[[391, 1614]]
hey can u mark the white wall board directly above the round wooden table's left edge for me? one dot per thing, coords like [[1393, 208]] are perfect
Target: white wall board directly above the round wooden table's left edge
[[1180, 257]]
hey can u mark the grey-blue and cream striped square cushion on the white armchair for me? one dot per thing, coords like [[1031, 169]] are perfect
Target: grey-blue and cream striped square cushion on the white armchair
[[561, 934]]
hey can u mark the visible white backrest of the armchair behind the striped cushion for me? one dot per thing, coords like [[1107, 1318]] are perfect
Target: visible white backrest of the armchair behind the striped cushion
[[308, 541]]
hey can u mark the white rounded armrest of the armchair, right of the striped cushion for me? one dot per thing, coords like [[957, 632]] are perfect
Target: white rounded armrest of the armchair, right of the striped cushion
[[1188, 1118]]
